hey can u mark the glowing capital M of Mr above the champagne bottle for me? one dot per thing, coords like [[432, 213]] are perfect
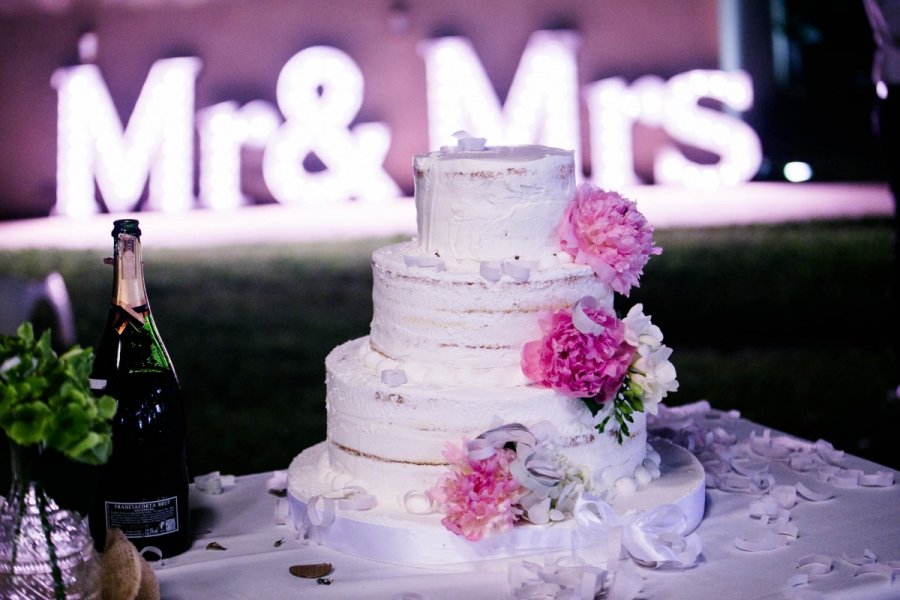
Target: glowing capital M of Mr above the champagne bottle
[[156, 144]]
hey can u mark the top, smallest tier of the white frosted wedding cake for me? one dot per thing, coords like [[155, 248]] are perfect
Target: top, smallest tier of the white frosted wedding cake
[[493, 203]]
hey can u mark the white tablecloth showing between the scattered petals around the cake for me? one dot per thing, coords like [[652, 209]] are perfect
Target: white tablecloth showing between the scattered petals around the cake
[[857, 522]]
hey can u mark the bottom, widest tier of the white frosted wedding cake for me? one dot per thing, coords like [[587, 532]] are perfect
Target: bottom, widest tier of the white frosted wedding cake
[[390, 440]]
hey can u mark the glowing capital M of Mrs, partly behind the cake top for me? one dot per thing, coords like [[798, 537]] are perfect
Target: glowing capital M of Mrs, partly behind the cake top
[[542, 104]]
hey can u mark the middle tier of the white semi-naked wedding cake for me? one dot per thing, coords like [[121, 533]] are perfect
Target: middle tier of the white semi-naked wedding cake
[[455, 325]]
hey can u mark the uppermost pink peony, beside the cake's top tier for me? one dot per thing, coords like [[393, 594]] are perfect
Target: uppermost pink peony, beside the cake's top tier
[[607, 232]]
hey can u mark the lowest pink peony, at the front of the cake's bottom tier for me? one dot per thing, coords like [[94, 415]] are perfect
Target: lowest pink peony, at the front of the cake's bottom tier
[[477, 496]]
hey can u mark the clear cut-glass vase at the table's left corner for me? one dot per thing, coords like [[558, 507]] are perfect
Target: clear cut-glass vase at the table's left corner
[[45, 551]]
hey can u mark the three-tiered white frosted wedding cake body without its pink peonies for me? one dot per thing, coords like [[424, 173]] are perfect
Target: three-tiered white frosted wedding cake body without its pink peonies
[[452, 312]]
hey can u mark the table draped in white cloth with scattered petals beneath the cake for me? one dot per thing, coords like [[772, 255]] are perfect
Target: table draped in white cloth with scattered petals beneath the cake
[[845, 542]]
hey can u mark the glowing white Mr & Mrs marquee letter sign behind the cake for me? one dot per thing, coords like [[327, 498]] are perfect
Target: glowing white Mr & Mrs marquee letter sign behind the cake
[[319, 93]]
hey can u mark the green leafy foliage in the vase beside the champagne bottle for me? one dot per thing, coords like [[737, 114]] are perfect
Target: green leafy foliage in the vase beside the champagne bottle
[[46, 399]]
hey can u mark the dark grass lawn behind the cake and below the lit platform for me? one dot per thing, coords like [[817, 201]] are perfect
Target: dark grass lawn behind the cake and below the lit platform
[[787, 324]]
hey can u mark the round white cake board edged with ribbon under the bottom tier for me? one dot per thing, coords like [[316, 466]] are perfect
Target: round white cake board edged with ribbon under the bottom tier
[[421, 540]]
